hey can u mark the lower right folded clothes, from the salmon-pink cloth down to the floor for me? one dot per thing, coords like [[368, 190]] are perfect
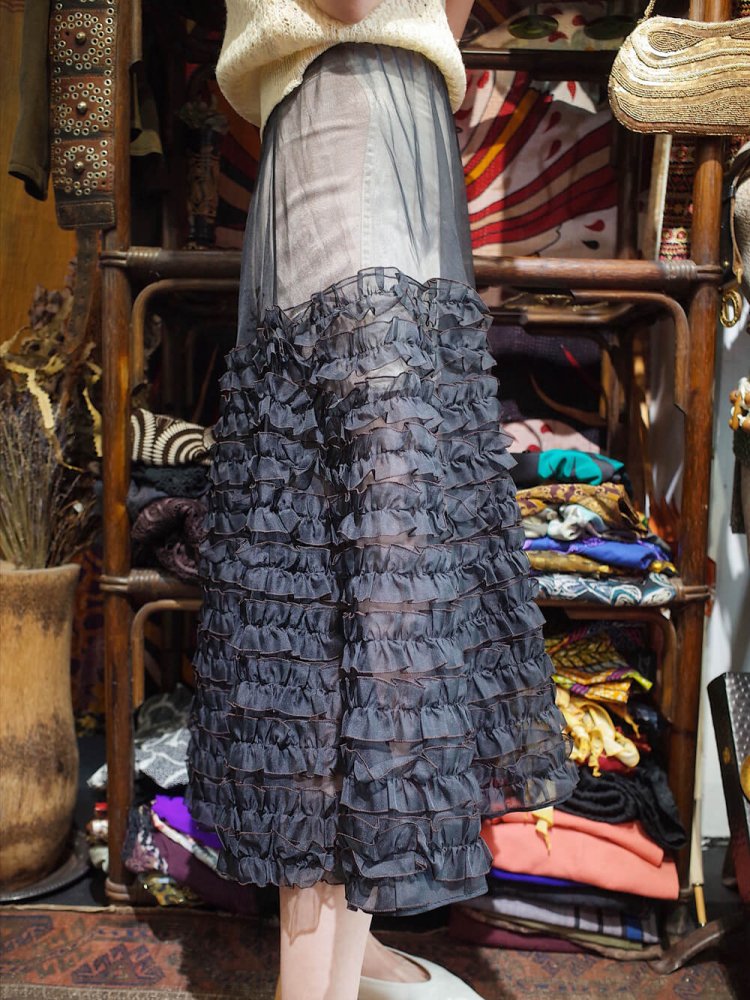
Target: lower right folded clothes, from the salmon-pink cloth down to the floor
[[570, 885]]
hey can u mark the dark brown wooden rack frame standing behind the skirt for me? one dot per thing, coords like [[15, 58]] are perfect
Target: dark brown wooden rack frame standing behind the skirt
[[696, 281]]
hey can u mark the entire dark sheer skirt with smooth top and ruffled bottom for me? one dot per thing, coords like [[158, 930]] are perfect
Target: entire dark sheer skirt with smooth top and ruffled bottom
[[371, 678]]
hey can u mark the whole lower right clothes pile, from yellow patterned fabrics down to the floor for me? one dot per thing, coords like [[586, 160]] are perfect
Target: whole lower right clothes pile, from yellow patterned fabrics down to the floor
[[589, 874]]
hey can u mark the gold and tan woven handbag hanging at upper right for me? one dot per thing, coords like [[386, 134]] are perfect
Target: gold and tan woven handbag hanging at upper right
[[675, 75]]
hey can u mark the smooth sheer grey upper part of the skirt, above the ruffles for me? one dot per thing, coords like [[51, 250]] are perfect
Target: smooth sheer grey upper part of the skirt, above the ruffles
[[359, 169]]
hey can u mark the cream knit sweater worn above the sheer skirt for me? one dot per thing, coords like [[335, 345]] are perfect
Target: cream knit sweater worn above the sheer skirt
[[269, 44]]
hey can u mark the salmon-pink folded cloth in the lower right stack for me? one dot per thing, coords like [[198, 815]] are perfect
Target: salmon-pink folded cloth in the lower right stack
[[610, 856]]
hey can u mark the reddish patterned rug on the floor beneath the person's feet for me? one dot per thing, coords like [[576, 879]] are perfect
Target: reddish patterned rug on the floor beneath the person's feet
[[188, 955]]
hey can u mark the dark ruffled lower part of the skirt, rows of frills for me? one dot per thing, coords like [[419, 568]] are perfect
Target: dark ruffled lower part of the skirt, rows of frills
[[371, 674]]
